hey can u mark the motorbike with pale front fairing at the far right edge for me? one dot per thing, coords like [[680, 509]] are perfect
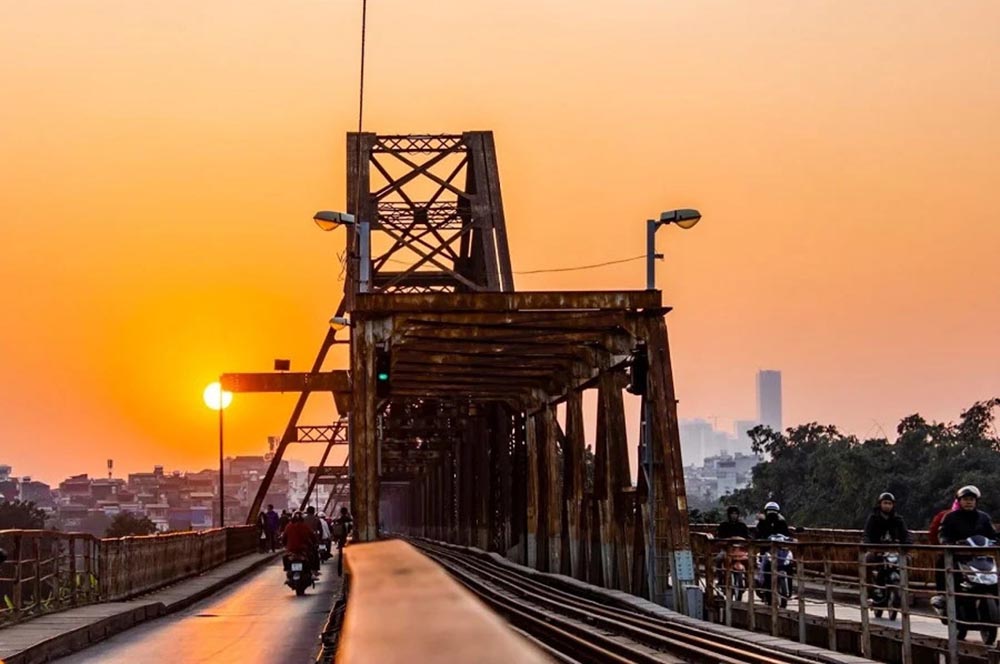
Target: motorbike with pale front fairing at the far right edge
[[976, 592]]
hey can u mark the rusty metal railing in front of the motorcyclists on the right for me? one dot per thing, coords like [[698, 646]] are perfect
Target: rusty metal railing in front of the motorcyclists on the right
[[869, 600]]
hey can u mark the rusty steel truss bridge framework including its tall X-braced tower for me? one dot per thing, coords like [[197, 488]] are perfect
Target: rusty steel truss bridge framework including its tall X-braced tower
[[481, 437]]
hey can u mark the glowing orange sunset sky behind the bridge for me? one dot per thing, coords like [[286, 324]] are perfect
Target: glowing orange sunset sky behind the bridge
[[160, 162]]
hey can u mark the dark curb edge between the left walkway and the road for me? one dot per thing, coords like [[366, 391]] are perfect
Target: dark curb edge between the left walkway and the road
[[95, 632]]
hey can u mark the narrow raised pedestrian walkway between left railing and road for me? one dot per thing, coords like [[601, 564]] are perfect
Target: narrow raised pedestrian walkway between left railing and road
[[47, 637]]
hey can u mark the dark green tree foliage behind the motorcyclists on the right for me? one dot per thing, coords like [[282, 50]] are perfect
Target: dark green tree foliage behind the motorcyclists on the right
[[824, 478]]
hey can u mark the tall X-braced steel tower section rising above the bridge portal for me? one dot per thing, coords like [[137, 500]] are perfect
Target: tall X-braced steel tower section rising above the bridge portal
[[434, 209]]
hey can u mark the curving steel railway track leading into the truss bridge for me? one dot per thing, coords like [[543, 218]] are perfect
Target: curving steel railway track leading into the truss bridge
[[574, 629]]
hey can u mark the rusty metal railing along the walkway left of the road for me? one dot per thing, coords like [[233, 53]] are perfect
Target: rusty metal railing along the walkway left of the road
[[50, 571]]
